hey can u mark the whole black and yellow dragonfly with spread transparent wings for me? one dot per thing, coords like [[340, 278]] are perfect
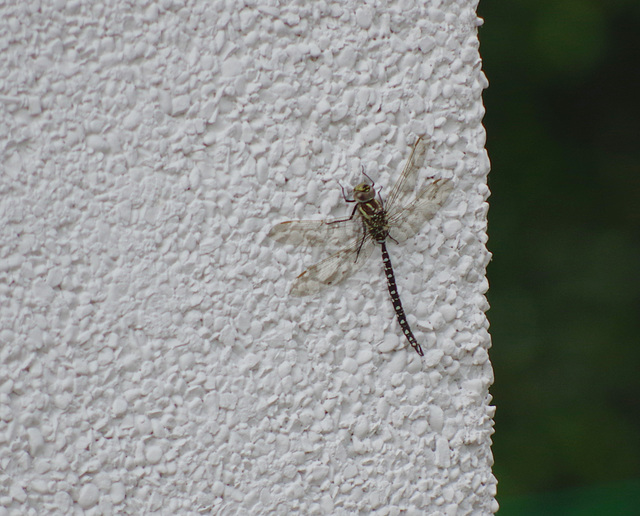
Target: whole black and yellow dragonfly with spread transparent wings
[[372, 222]]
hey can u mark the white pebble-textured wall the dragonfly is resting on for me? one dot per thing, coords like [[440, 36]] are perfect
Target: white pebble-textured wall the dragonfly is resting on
[[150, 357]]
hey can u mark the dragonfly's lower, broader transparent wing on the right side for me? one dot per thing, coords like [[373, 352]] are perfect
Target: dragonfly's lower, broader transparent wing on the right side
[[407, 222]]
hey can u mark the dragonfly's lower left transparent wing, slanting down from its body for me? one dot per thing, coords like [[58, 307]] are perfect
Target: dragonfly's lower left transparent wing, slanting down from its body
[[333, 269]]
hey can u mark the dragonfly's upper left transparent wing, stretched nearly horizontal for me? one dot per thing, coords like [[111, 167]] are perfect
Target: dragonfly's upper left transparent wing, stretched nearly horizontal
[[316, 232]]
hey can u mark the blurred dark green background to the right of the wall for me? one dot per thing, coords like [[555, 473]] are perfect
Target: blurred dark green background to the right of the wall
[[562, 121]]
